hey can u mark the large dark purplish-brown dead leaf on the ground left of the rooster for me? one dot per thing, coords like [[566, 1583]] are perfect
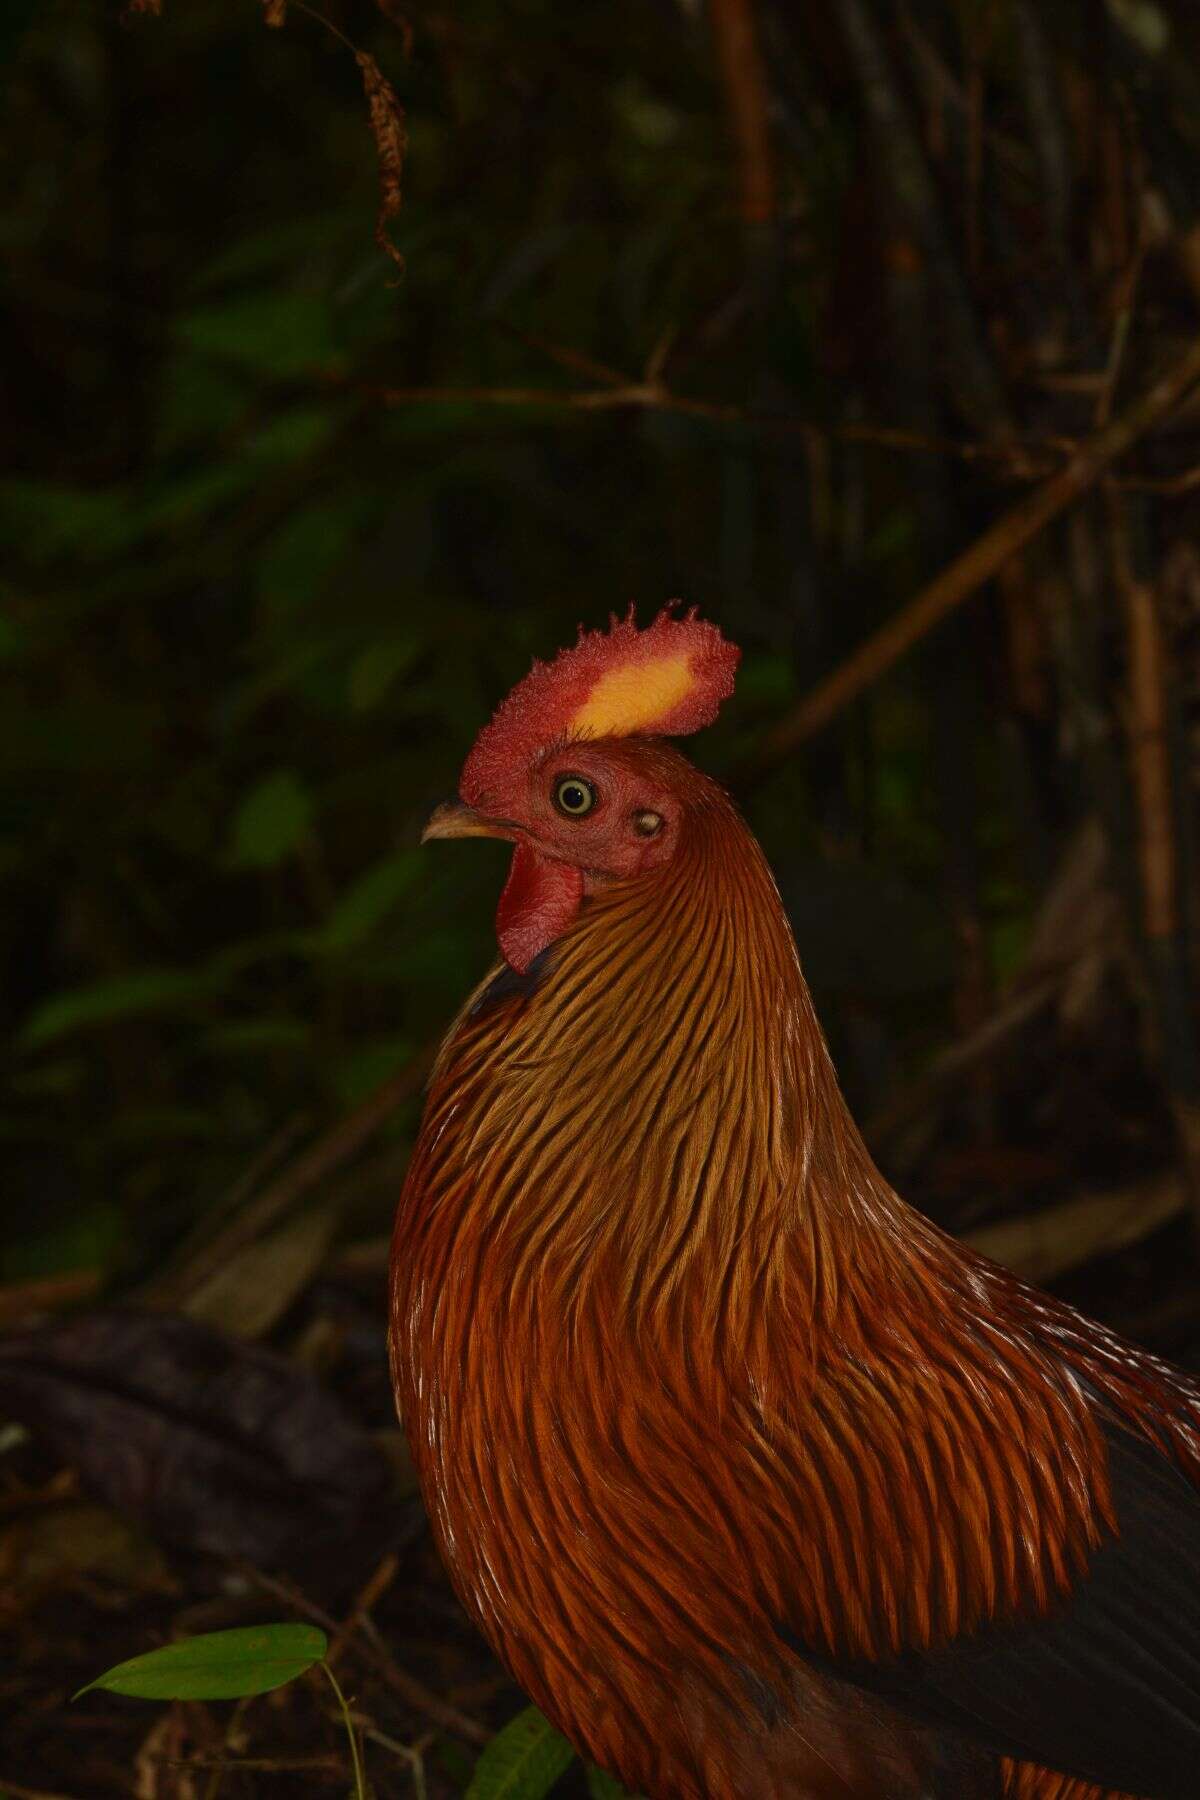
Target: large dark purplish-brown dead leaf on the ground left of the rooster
[[210, 1443]]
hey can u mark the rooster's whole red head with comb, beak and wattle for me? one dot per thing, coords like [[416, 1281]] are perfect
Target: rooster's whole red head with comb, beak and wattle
[[571, 773]]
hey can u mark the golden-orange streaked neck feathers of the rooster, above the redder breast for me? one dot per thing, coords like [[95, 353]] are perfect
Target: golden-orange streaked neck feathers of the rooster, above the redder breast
[[663, 1092]]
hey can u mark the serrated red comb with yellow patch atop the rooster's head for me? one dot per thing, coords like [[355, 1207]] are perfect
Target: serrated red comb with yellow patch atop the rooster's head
[[663, 683]]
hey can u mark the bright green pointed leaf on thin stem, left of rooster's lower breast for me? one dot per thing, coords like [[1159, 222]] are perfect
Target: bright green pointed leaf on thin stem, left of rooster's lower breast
[[219, 1666]]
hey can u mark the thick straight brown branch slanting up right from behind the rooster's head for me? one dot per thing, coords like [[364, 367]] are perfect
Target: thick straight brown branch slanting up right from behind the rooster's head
[[976, 566]]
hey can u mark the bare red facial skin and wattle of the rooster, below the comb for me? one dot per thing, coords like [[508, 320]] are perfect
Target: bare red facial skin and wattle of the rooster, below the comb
[[560, 859]]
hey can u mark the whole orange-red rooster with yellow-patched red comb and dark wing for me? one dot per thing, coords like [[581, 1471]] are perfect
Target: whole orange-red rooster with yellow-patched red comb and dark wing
[[757, 1482]]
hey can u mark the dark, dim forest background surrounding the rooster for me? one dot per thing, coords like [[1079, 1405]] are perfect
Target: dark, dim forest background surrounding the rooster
[[355, 355]]
